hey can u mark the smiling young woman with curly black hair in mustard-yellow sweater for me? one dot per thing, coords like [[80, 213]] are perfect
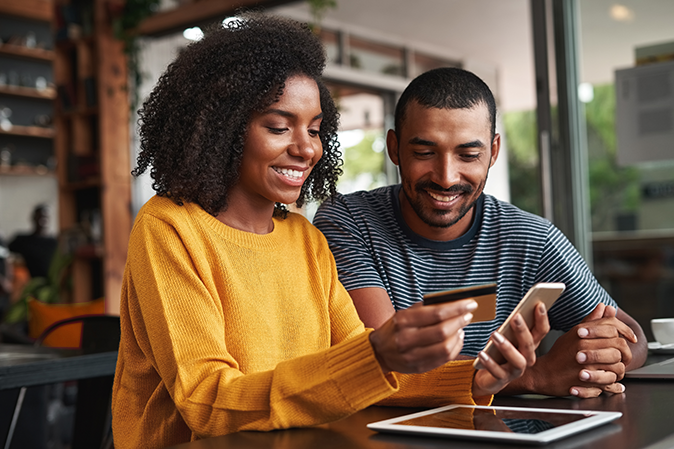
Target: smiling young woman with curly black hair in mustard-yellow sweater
[[232, 314]]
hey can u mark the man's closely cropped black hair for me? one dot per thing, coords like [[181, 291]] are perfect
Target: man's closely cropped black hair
[[446, 88]]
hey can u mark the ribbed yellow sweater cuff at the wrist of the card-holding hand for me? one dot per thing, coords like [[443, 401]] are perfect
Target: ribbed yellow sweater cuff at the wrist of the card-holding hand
[[357, 373]]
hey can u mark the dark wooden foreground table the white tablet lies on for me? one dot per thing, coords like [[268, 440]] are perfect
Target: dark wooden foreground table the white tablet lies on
[[647, 407]]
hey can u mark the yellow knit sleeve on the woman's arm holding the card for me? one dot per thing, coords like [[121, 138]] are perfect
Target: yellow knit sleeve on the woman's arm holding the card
[[179, 326]]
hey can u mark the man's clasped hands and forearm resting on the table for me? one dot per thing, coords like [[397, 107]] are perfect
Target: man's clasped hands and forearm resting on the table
[[587, 360]]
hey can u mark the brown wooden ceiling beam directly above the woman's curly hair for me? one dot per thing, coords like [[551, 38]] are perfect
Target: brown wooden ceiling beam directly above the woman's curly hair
[[199, 13]]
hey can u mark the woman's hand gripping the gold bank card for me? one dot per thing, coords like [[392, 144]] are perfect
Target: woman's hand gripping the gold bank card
[[422, 338]]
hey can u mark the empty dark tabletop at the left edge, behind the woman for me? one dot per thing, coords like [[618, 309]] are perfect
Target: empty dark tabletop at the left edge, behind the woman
[[27, 366]]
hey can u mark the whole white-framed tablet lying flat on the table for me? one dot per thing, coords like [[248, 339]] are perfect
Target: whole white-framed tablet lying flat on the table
[[505, 424]]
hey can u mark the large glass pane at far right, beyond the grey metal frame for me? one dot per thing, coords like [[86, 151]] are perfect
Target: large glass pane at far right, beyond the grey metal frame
[[628, 90]]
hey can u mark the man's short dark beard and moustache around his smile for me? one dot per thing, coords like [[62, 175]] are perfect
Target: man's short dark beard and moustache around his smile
[[429, 216]]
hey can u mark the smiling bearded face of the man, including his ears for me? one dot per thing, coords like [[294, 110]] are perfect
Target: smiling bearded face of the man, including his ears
[[444, 157]]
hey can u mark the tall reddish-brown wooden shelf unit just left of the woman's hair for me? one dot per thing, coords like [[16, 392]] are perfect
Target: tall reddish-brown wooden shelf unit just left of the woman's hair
[[92, 147]]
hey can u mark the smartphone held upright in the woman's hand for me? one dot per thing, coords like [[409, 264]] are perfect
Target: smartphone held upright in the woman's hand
[[545, 292]]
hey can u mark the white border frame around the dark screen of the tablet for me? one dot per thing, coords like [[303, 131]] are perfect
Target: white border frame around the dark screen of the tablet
[[595, 419]]
